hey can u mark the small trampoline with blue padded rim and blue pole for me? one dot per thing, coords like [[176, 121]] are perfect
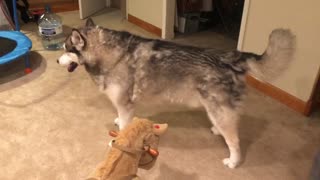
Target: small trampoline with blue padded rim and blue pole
[[15, 42]]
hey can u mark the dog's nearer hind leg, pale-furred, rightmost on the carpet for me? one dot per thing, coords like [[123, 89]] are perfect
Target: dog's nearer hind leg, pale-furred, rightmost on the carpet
[[225, 120]]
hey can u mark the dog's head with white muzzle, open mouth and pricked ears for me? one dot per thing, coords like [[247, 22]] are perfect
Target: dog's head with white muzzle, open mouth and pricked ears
[[74, 45]]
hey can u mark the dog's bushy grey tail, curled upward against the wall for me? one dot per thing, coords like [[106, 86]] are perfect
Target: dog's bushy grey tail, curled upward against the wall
[[277, 56]]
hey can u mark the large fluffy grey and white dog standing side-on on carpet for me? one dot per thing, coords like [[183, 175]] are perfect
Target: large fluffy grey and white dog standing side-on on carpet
[[130, 69]]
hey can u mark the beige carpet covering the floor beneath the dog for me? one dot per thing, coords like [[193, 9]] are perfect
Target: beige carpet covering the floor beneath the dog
[[54, 125]]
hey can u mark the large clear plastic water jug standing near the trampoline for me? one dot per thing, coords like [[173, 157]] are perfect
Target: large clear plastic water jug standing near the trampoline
[[50, 29]]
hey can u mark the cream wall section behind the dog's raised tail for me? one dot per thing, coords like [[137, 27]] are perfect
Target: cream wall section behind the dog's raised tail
[[302, 17]]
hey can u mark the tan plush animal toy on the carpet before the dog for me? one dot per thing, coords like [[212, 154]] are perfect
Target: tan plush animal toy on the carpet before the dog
[[136, 146]]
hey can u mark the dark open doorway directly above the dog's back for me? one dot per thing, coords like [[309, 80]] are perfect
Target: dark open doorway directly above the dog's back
[[209, 17]]
